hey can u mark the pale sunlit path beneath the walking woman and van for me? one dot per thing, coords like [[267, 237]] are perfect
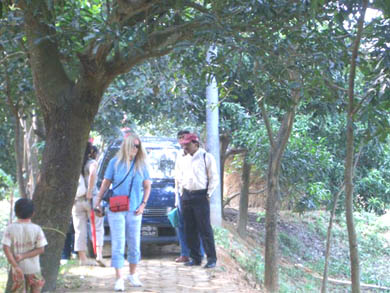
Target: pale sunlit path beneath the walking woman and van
[[159, 273]]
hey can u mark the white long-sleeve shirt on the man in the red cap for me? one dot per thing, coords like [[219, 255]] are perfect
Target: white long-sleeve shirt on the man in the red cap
[[196, 170]]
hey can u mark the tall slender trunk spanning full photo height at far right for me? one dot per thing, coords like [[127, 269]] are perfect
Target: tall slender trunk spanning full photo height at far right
[[348, 176]]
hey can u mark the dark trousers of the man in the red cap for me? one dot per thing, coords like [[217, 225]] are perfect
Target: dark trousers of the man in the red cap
[[196, 214]]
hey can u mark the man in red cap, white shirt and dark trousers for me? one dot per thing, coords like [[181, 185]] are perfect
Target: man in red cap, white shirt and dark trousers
[[200, 179]]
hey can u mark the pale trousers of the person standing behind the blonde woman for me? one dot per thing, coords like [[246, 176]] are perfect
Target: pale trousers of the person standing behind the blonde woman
[[81, 212]]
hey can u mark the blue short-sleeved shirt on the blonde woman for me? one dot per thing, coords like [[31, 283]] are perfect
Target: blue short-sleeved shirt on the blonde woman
[[115, 173]]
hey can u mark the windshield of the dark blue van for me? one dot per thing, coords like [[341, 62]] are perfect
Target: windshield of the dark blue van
[[162, 162]]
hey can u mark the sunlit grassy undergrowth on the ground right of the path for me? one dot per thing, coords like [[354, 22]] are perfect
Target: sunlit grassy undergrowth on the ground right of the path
[[302, 248]]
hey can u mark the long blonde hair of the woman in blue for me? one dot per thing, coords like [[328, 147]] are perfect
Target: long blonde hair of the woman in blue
[[124, 153]]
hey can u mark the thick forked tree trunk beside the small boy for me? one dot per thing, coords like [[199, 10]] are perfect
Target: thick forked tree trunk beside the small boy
[[68, 109]]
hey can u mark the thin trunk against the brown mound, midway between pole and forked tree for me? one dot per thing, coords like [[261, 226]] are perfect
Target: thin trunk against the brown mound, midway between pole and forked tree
[[244, 197]]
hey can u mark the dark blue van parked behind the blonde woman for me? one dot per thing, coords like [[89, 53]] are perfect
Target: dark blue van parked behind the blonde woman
[[162, 154]]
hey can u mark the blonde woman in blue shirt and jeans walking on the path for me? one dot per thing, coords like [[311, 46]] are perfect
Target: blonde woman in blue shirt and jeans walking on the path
[[128, 173]]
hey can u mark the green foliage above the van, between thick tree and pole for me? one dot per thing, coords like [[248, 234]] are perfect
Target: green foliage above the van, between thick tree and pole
[[151, 101]]
